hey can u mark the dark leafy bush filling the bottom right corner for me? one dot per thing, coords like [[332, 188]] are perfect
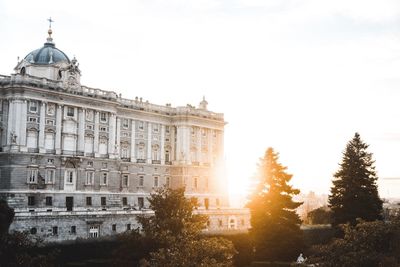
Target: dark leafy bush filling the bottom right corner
[[367, 244]]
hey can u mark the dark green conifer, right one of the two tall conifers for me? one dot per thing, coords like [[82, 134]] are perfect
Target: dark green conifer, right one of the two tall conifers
[[354, 193]]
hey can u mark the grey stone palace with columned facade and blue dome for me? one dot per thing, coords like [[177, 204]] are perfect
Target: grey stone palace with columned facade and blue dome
[[80, 162]]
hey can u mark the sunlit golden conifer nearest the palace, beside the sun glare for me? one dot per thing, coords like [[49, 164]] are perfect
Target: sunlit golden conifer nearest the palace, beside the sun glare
[[274, 221]]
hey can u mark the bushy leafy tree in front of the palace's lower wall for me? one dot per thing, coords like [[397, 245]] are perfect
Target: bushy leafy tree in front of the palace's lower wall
[[172, 236]]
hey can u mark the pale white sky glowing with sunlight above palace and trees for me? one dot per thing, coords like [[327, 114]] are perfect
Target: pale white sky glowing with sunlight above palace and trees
[[301, 76]]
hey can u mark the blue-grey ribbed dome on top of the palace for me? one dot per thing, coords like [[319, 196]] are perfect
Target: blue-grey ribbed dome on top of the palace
[[46, 55]]
